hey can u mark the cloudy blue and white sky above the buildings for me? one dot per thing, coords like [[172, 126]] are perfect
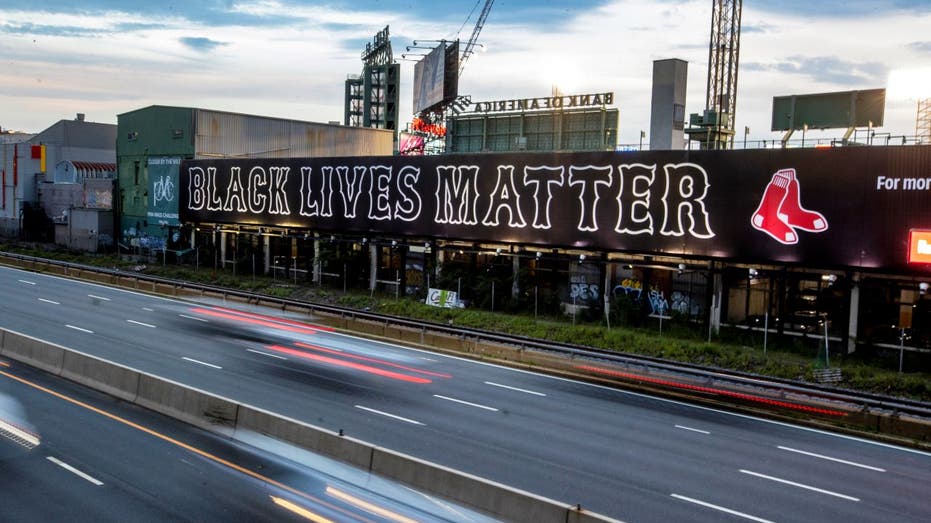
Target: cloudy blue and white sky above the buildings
[[290, 58]]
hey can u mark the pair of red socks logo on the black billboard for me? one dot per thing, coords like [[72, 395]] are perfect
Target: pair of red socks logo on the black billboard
[[781, 212]]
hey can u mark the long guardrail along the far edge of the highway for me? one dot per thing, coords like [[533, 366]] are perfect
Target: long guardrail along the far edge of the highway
[[775, 387]]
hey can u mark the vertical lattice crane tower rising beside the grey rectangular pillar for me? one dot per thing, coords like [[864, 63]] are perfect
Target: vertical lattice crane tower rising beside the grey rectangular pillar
[[714, 129]]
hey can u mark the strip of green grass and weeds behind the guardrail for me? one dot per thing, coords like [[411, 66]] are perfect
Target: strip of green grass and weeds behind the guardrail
[[676, 340]]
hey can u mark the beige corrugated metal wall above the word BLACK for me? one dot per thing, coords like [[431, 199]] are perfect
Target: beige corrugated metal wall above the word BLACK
[[231, 135]]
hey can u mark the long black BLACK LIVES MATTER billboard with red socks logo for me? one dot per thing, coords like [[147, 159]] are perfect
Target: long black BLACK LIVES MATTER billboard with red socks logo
[[841, 207]]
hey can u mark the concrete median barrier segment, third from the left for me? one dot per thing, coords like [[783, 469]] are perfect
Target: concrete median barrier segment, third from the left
[[187, 404]]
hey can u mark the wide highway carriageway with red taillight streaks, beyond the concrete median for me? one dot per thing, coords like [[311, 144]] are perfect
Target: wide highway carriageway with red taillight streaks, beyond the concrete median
[[626, 455]]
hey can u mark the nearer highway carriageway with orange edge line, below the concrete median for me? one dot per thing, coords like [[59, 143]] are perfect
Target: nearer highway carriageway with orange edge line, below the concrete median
[[100, 459]]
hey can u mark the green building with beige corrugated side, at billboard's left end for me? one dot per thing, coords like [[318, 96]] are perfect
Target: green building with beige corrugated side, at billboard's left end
[[152, 141]]
